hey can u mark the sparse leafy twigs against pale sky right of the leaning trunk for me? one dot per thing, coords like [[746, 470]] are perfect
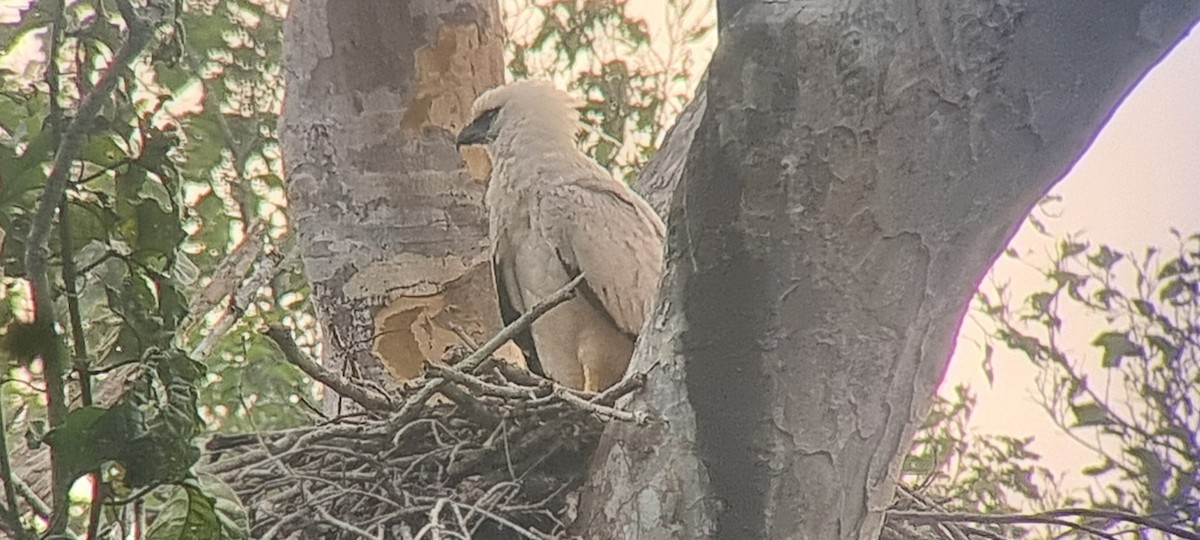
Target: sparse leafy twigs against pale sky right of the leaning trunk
[[1133, 403]]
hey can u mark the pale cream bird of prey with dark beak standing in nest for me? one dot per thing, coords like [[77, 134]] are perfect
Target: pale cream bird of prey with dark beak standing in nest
[[553, 214]]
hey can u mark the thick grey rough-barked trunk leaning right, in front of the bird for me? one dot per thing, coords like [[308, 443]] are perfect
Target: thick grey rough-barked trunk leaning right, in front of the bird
[[859, 167]]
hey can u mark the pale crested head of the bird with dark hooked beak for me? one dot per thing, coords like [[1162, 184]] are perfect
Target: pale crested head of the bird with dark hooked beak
[[535, 107]]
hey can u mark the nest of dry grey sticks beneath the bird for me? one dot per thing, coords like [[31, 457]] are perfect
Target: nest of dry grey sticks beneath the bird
[[475, 449]]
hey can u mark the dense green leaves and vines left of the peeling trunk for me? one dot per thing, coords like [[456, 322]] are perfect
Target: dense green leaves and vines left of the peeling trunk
[[176, 170]]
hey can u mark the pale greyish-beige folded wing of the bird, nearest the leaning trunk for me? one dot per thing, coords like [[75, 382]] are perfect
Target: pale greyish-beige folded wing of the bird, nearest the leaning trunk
[[614, 238]]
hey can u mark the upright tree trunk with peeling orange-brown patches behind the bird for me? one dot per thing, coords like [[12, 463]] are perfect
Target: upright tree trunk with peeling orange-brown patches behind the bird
[[392, 229]]
